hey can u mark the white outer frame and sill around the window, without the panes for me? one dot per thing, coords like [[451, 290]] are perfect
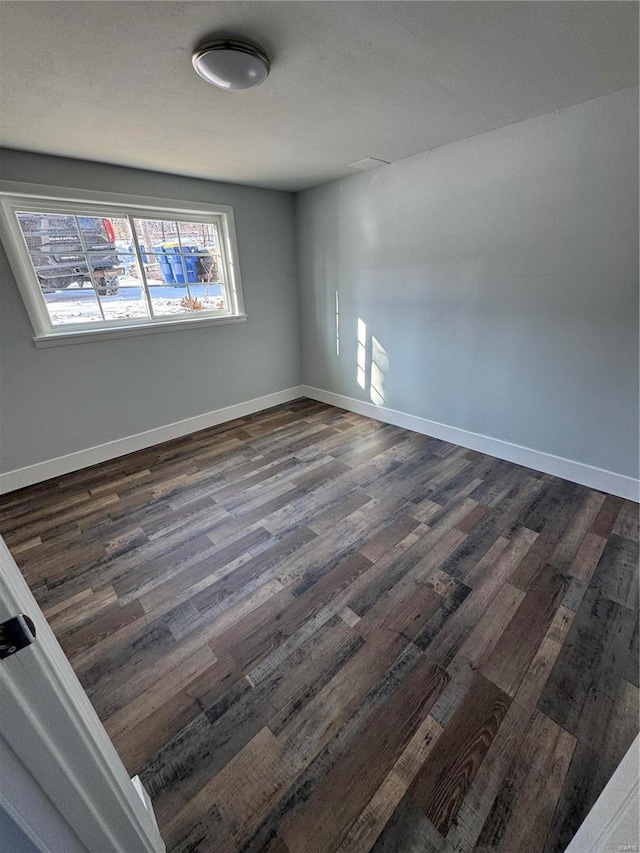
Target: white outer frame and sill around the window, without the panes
[[15, 196]]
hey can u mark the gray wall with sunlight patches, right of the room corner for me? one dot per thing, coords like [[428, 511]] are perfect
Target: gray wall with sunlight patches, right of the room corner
[[499, 274]]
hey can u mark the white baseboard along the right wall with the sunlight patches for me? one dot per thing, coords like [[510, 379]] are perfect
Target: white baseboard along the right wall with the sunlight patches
[[567, 469]]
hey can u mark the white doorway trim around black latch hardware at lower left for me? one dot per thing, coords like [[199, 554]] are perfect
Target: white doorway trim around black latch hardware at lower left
[[48, 723]]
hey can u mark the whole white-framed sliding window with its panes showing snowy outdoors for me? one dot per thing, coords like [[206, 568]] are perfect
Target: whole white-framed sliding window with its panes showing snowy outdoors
[[89, 268]]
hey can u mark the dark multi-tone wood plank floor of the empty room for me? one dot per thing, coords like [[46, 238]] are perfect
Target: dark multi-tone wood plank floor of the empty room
[[311, 632]]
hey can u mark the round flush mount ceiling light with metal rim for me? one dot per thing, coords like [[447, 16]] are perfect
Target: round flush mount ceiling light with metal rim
[[231, 65]]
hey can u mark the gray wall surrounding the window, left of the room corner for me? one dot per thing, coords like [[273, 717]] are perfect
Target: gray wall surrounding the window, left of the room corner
[[59, 400]]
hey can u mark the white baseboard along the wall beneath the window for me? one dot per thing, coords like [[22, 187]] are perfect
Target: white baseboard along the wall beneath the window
[[41, 471]]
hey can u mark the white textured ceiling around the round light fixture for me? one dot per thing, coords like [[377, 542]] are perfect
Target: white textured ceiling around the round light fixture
[[113, 81]]
